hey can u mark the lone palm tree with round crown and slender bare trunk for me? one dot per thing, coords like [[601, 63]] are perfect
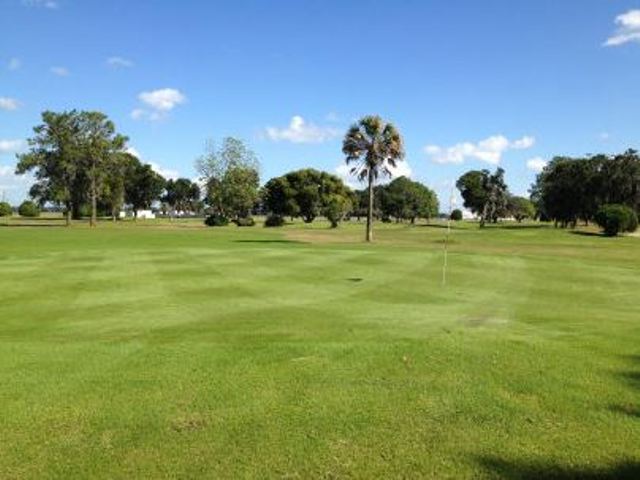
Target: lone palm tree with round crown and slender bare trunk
[[373, 147]]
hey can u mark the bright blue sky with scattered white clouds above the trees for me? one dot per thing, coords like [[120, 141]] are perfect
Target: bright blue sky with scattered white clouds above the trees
[[469, 84]]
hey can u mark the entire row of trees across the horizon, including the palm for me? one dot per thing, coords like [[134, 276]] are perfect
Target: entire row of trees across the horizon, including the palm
[[82, 164]]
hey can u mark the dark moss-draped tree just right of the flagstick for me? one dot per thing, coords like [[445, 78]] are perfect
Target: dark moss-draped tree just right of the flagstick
[[485, 194]]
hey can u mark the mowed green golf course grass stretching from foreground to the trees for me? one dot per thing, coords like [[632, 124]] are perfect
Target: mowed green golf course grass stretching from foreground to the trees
[[181, 352]]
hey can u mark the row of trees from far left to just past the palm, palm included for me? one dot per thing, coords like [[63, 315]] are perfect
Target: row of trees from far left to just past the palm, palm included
[[82, 165]]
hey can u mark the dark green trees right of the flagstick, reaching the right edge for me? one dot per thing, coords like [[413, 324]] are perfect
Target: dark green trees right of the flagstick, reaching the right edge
[[604, 189]]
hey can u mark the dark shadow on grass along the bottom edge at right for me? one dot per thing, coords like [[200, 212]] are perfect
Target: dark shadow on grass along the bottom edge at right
[[513, 470]]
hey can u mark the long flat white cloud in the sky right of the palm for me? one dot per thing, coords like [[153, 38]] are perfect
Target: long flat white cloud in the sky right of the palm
[[489, 150]]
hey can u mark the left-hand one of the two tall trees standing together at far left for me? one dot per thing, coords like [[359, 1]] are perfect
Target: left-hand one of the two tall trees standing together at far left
[[54, 157]]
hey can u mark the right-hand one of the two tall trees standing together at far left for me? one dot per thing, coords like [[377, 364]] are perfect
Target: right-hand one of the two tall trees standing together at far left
[[99, 142]]
